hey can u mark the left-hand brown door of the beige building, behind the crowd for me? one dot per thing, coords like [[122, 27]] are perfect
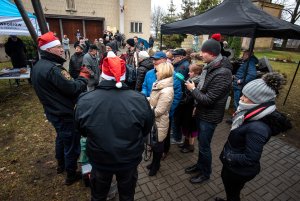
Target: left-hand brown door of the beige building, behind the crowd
[[70, 27]]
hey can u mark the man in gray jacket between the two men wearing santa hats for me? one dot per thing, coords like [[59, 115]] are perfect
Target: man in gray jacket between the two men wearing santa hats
[[91, 61]]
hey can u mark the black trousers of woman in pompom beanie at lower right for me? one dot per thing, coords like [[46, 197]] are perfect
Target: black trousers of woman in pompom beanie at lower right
[[233, 183]]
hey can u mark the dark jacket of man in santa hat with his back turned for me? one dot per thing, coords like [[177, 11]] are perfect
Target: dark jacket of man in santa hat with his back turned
[[115, 121]]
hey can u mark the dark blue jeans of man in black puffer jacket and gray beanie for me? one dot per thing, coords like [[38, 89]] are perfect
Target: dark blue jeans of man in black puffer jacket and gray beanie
[[205, 134]]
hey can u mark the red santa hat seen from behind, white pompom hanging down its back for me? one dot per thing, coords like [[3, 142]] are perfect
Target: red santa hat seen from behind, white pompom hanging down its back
[[113, 68]]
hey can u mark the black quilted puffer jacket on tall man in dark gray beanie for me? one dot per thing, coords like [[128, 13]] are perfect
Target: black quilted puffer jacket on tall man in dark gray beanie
[[212, 98]]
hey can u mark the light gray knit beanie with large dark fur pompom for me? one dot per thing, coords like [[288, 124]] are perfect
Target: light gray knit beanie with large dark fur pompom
[[264, 89]]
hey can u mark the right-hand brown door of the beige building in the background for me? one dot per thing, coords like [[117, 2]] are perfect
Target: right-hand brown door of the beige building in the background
[[93, 29]]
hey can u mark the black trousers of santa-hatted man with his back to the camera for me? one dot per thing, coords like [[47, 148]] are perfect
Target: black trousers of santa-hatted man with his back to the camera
[[101, 180]]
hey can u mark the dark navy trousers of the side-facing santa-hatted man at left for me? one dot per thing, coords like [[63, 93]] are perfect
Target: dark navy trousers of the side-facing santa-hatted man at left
[[67, 143]]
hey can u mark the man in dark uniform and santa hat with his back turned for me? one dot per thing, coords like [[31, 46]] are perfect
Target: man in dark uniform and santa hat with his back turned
[[115, 120]]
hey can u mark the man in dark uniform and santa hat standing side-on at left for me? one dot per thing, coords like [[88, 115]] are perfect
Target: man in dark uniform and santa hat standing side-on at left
[[57, 91]]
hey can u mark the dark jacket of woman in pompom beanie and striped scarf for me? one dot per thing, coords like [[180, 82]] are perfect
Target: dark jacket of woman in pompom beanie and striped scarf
[[242, 152]]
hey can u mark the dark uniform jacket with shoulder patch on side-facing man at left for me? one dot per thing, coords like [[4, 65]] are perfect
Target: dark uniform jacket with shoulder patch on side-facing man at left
[[54, 86]]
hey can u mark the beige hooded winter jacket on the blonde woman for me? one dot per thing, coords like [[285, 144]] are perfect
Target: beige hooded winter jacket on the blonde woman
[[161, 99]]
